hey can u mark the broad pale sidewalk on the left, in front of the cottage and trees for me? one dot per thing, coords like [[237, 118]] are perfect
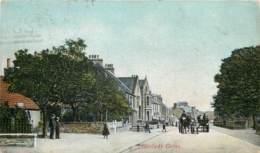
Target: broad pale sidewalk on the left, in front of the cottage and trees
[[82, 143]]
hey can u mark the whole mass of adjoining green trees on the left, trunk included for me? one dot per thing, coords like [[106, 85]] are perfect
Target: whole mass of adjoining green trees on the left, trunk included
[[64, 76]]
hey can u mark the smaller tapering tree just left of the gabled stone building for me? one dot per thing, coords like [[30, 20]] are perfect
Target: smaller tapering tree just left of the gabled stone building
[[109, 100]]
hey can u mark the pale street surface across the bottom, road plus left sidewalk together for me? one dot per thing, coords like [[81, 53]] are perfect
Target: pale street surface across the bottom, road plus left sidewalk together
[[139, 142]]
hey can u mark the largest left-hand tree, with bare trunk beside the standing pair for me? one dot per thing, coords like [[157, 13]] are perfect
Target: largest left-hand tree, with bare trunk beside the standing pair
[[52, 77]]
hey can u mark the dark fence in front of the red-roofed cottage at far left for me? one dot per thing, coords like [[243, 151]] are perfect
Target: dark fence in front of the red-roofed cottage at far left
[[15, 126]]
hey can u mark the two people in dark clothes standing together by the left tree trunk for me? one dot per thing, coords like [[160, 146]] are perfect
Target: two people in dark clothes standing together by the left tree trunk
[[54, 125]]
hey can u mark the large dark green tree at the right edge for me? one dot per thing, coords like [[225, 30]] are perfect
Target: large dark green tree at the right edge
[[239, 84]]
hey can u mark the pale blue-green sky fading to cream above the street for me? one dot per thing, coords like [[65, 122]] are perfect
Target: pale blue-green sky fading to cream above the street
[[178, 45]]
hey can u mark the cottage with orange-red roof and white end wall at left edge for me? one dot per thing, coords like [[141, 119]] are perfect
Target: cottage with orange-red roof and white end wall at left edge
[[14, 100]]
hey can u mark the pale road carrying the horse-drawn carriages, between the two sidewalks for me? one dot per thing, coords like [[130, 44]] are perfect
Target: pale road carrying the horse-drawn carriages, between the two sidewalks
[[212, 142]]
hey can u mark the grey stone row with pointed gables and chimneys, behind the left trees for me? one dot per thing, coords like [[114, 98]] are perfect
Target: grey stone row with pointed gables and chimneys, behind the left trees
[[145, 105]]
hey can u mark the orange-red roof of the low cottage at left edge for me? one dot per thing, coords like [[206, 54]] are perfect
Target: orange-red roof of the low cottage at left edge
[[13, 99]]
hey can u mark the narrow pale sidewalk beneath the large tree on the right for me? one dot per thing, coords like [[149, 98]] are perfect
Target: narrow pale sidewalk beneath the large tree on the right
[[248, 135]]
